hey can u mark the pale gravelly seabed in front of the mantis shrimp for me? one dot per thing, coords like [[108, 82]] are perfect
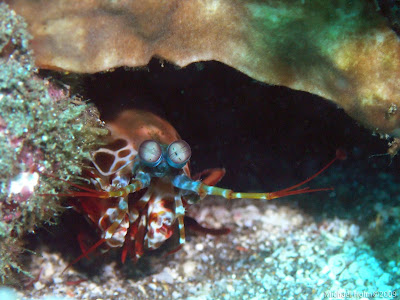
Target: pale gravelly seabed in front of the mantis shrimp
[[273, 252]]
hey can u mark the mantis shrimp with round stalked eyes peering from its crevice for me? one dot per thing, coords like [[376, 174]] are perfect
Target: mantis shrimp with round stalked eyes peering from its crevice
[[141, 185]]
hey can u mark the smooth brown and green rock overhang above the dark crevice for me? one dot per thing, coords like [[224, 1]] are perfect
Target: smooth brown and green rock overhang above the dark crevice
[[343, 51]]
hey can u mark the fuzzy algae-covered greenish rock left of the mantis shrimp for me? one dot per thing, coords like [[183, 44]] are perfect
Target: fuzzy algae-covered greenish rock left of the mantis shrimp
[[41, 127]]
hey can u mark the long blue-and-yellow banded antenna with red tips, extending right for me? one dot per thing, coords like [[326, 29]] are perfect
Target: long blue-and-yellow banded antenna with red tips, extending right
[[198, 187]]
